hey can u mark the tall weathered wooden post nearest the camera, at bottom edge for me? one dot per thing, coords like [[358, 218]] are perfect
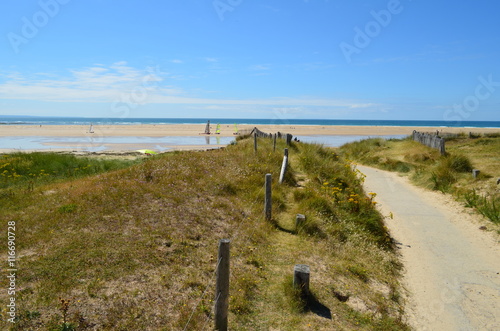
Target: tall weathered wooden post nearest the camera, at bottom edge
[[222, 286]]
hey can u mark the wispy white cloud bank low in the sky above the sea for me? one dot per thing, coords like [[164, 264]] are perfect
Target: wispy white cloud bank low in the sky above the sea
[[100, 83]]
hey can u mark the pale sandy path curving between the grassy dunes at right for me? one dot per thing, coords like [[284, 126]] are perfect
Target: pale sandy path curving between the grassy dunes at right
[[452, 267]]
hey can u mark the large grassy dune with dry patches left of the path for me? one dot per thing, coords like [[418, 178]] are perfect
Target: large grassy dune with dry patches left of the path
[[135, 248]]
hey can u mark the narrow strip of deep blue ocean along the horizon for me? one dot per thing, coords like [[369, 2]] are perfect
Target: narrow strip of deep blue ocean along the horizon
[[33, 120]]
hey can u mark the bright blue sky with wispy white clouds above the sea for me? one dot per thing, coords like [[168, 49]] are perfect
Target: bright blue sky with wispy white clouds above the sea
[[407, 59]]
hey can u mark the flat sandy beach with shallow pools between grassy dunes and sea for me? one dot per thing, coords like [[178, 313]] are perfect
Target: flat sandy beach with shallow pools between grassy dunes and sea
[[126, 138]]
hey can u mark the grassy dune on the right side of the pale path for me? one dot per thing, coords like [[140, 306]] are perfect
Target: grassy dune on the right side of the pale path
[[451, 173]]
